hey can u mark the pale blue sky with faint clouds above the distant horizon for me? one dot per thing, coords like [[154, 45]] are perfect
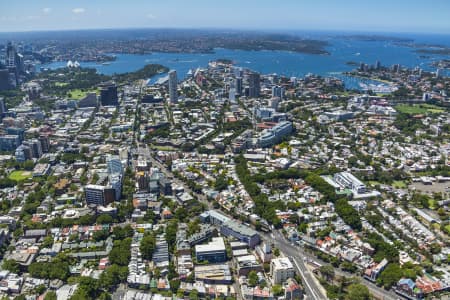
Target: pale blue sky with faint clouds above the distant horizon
[[353, 15]]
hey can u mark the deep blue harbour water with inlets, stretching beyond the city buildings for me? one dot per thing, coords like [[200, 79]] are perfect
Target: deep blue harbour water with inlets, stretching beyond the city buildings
[[342, 51]]
